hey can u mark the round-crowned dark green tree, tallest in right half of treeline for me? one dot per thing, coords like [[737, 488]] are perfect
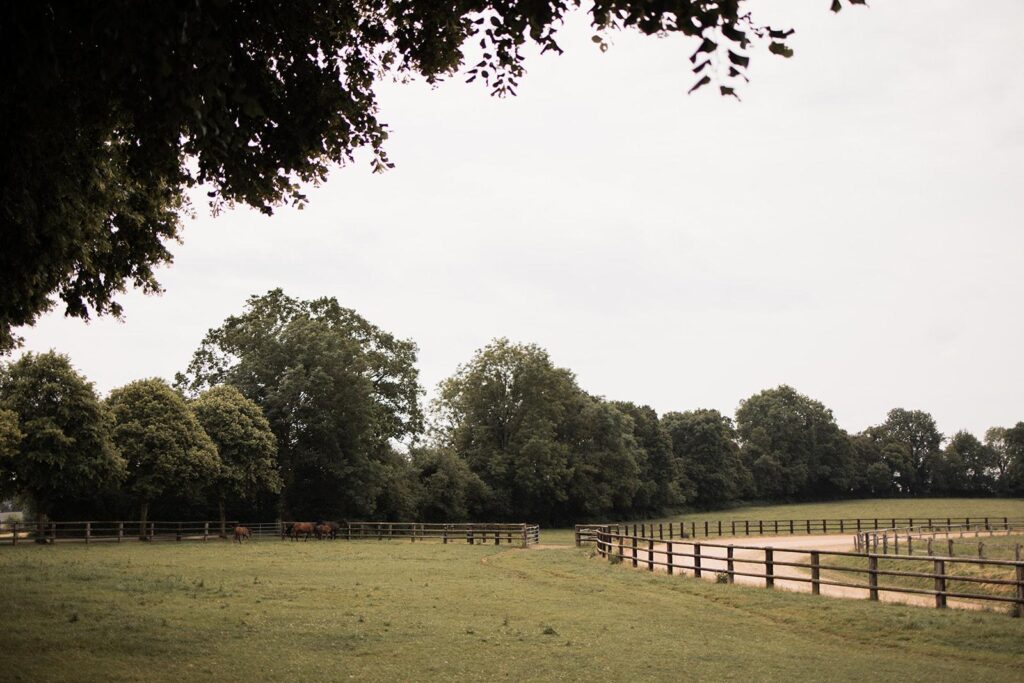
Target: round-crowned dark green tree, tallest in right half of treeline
[[793, 446]]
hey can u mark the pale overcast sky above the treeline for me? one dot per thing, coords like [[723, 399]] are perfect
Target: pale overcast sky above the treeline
[[854, 228]]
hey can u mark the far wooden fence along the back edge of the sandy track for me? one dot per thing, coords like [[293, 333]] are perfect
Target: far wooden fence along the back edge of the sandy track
[[735, 528]]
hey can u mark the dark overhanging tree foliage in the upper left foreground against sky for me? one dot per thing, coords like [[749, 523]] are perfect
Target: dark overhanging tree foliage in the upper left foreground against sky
[[246, 100]]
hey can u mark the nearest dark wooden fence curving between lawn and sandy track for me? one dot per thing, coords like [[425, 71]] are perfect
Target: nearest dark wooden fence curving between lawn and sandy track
[[694, 557]]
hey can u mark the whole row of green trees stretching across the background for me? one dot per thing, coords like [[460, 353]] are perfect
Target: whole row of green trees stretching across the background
[[306, 410]]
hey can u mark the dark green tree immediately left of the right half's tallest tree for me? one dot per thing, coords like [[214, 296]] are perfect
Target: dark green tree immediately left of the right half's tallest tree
[[705, 443]]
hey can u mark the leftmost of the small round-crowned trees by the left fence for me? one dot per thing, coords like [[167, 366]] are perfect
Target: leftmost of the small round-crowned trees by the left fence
[[65, 451]]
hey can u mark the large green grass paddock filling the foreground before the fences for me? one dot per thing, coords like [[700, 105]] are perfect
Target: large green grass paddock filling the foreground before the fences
[[403, 612]]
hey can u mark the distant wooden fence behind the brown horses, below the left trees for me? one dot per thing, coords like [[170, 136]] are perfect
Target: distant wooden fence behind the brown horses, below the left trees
[[118, 532]]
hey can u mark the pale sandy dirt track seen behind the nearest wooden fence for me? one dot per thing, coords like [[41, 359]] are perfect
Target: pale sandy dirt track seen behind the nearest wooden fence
[[713, 561]]
